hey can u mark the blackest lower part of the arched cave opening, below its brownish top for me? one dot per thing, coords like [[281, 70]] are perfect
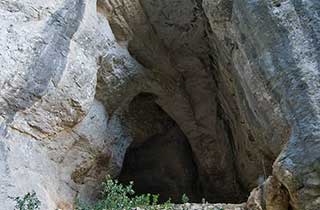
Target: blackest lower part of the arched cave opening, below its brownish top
[[162, 165]]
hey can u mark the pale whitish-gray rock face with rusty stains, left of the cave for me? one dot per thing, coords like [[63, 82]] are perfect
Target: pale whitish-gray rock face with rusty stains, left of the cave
[[54, 135]]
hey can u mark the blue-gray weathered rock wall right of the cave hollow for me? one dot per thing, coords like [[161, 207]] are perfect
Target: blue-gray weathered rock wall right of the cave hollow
[[278, 41]]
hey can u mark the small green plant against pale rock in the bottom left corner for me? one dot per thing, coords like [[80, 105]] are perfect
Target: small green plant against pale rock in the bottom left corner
[[28, 202]]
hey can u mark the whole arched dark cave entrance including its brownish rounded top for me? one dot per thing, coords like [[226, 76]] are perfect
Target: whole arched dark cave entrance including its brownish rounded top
[[159, 160]]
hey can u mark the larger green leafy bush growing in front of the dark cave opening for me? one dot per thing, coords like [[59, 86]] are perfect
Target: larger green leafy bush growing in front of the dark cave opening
[[116, 196]]
